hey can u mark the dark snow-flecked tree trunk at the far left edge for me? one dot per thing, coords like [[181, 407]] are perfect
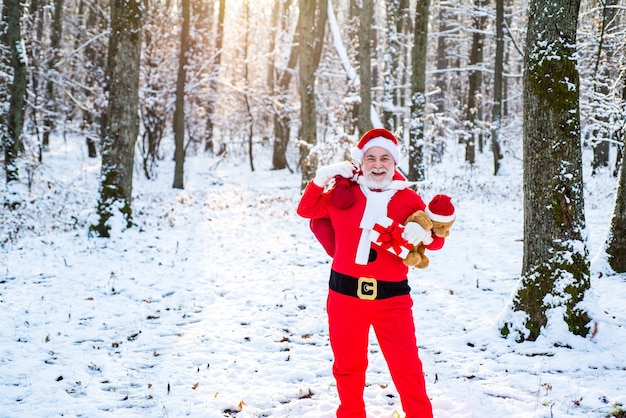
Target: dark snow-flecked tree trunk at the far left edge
[[14, 122]]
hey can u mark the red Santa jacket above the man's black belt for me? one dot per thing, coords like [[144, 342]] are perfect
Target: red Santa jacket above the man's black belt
[[315, 204]]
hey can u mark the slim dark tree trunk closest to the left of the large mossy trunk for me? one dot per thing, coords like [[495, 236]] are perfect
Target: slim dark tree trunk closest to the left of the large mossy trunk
[[497, 87]]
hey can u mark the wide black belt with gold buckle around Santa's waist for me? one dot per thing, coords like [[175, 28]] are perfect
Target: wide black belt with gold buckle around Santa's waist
[[366, 287]]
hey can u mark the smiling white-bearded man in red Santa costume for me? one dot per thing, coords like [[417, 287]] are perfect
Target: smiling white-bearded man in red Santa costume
[[368, 279]]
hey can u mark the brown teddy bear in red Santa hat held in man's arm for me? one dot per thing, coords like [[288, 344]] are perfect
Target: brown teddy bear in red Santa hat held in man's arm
[[438, 217]]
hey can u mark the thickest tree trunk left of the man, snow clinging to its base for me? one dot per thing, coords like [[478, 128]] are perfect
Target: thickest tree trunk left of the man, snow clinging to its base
[[122, 122]]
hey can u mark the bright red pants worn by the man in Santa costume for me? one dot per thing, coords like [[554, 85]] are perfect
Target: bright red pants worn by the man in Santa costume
[[349, 321]]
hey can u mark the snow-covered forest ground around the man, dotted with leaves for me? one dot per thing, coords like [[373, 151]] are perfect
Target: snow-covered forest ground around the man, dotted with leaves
[[214, 304]]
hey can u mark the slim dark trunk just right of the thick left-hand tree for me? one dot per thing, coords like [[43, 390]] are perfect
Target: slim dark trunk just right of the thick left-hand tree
[[179, 112]]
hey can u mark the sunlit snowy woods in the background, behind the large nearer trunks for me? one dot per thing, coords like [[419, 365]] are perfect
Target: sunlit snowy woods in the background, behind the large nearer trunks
[[239, 66]]
